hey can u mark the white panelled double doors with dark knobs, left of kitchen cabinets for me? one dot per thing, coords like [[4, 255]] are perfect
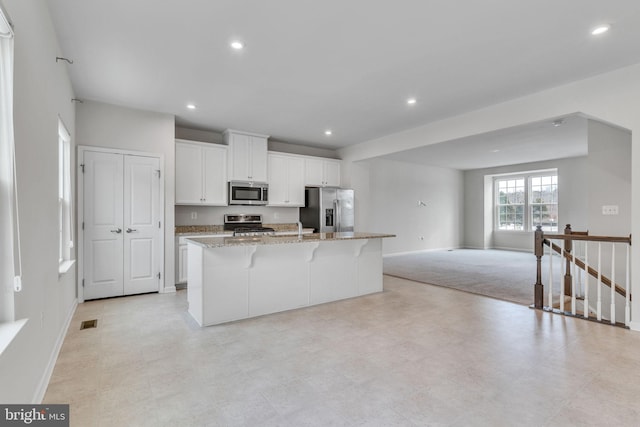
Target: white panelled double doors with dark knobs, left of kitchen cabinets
[[122, 224]]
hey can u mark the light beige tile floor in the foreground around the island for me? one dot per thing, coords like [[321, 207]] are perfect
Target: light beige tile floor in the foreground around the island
[[414, 355]]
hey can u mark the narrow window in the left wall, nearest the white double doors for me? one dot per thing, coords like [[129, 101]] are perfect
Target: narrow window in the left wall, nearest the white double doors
[[65, 229]]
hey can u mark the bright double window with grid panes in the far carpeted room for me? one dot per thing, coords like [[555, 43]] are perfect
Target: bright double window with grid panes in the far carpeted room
[[527, 200]]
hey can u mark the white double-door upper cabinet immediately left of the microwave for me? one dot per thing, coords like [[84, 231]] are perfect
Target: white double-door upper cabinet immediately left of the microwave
[[201, 174]]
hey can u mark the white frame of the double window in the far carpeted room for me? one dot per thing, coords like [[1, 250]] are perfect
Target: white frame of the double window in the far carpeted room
[[528, 217]]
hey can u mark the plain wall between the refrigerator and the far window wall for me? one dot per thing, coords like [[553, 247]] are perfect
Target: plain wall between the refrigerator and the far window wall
[[387, 198]]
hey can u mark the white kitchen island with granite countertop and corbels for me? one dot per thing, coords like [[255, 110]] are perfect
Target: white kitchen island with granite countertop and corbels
[[232, 278]]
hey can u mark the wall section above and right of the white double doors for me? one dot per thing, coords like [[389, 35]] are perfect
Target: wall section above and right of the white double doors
[[110, 126]]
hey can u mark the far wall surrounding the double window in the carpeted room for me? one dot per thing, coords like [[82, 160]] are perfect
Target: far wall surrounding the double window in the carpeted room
[[572, 202]]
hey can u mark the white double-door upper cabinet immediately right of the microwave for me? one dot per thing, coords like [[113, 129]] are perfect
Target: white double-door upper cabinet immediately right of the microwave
[[286, 180]]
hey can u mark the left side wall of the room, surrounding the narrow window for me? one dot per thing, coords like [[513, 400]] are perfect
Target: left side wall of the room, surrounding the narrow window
[[42, 92]]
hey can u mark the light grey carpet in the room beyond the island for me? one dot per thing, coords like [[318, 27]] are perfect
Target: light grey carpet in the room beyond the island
[[505, 275]]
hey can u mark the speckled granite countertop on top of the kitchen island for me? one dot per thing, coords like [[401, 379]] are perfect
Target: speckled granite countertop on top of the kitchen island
[[219, 242]]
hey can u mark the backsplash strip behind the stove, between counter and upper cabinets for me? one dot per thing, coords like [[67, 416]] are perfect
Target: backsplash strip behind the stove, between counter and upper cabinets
[[214, 215]]
